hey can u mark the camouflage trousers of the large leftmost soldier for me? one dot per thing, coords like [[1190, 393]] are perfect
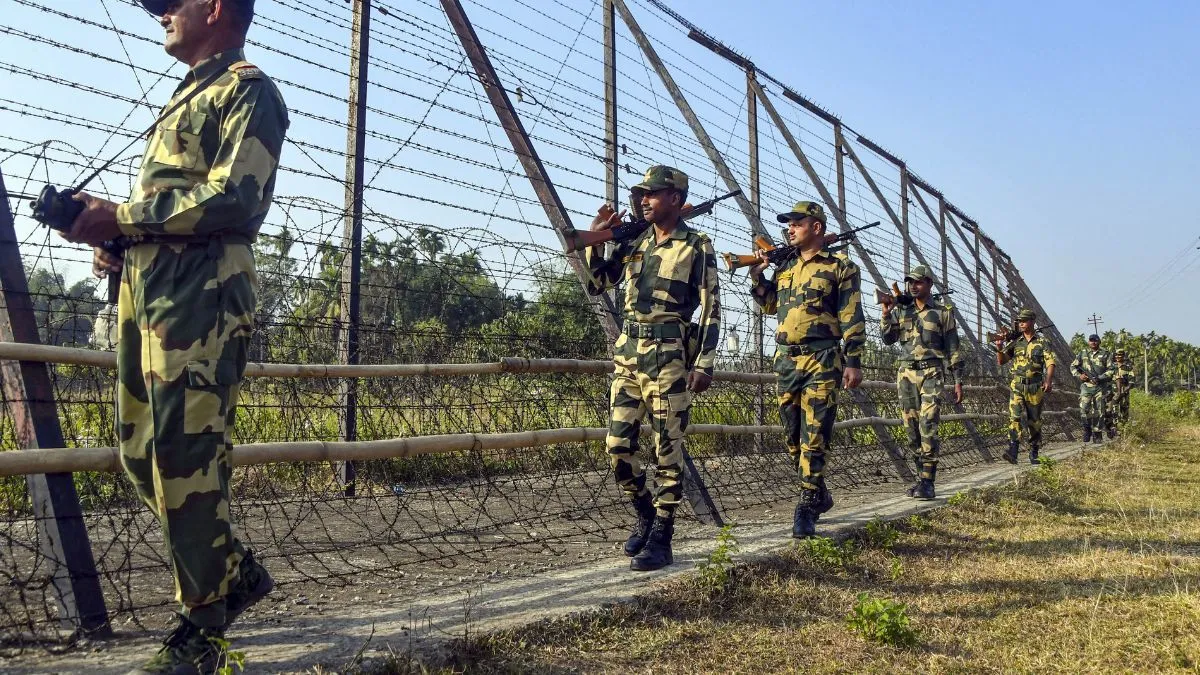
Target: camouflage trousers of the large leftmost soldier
[[185, 318]]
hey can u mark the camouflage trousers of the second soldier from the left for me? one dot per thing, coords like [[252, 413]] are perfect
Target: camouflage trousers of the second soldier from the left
[[651, 377]]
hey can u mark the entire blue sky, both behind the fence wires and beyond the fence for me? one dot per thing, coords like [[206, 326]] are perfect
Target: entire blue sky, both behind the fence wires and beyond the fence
[[1069, 130]]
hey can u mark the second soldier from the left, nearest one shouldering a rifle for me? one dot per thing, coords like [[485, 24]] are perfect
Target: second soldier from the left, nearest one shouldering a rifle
[[662, 359]]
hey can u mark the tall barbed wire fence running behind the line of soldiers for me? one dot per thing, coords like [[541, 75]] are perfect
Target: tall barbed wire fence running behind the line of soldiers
[[459, 264]]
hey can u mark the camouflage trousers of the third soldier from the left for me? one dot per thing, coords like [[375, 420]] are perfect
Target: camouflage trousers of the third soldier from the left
[[808, 408]]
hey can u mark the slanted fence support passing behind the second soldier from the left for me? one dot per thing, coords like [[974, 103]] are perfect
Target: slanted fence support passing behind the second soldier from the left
[[697, 491]]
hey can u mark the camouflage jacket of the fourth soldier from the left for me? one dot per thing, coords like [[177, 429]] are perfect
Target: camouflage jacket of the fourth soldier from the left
[[925, 334]]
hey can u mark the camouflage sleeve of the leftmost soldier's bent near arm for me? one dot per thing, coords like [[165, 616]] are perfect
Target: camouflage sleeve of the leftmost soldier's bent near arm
[[241, 178]]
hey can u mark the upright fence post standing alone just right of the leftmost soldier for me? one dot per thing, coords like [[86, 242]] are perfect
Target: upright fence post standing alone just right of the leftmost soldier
[[352, 235]]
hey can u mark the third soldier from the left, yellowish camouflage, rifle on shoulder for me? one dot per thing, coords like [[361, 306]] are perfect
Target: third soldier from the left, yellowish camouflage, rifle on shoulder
[[821, 338]]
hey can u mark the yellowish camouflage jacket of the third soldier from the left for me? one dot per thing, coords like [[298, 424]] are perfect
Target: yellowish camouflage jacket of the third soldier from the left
[[817, 301]]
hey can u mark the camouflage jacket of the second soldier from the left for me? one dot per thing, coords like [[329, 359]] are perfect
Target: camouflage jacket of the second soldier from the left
[[665, 284]]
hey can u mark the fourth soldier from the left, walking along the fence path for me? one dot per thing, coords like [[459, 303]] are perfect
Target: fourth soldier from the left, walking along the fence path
[[931, 341]]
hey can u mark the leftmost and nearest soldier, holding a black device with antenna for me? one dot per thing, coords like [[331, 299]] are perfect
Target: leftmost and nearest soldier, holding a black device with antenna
[[187, 308]]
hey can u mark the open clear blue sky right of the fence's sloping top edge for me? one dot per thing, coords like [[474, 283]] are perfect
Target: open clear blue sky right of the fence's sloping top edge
[[1070, 130]]
